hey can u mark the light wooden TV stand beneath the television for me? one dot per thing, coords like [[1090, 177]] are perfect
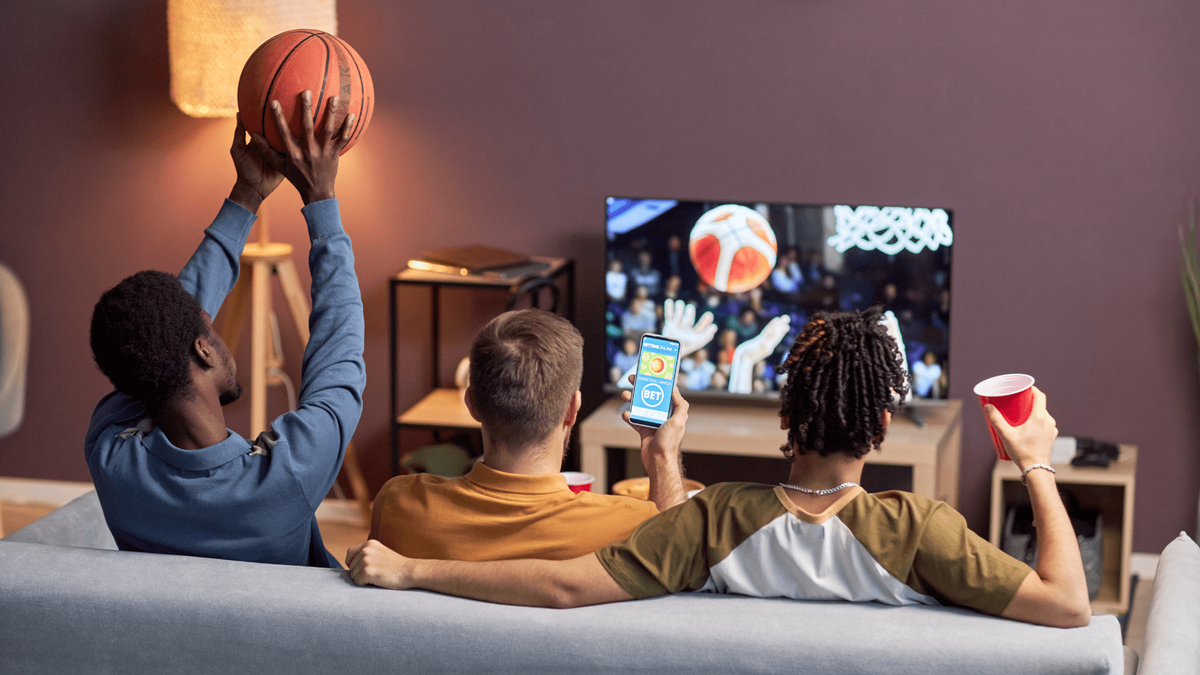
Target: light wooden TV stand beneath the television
[[728, 429]]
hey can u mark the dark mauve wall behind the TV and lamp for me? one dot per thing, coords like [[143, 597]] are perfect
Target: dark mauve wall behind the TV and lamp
[[1064, 134]]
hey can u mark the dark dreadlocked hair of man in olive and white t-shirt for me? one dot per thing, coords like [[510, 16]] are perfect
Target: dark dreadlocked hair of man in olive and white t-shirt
[[843, 373]]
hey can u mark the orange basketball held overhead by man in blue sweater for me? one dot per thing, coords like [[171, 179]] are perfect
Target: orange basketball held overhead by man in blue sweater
[[286, 67]]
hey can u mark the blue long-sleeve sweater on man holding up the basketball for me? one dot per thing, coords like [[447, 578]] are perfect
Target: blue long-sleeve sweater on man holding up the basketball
[[243, 500]]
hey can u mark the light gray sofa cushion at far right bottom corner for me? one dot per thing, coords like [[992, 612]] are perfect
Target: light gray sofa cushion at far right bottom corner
[[1173, 628]]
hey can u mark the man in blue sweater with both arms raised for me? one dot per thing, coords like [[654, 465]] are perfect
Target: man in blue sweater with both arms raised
[[171, 477]]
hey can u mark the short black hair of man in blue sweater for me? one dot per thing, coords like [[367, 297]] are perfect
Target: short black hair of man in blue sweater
[[142, 336]]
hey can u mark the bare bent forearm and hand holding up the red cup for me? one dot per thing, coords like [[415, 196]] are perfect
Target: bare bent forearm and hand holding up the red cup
[[1057, 593]]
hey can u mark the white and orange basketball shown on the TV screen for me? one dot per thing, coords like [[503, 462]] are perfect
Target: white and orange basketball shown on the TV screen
[[733, 248]]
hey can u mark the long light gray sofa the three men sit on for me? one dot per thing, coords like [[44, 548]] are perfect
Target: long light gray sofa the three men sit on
[[69, 604]]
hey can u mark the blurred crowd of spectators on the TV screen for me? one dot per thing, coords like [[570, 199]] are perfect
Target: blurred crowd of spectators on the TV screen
[[639, 283]]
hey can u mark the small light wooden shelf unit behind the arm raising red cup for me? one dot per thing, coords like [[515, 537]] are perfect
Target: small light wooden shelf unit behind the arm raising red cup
[[1111, 491]]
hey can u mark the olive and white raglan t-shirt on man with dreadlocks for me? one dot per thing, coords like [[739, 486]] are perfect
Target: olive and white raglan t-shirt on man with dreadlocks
[[895, 548]]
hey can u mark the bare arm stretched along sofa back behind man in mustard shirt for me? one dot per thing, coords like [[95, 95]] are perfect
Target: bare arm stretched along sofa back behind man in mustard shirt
[[531, 583]]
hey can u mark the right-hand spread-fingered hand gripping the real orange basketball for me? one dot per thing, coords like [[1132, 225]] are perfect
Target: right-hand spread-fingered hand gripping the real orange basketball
[[311, 162]]
